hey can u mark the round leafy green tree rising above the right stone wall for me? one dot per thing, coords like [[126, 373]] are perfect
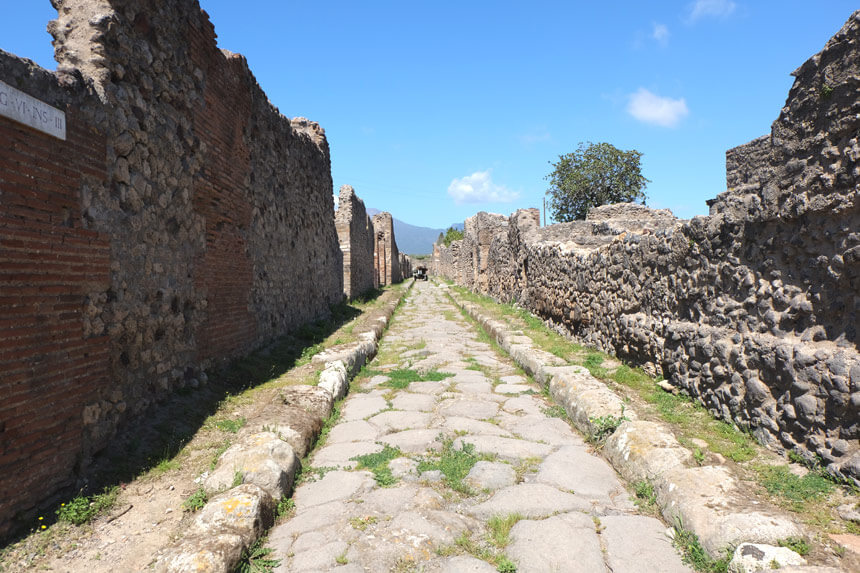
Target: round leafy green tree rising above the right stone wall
[[593, 175]]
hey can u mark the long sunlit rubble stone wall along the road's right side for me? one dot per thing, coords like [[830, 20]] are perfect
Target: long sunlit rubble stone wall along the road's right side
[[752, 310]]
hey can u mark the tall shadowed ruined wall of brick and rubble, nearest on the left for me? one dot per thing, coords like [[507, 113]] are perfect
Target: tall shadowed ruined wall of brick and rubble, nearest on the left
[[183, 222]]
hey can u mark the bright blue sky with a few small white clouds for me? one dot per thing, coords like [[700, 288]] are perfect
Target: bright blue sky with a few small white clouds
[[437, 110]]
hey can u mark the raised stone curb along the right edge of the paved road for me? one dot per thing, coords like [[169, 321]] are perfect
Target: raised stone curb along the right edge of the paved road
[[707, 500]]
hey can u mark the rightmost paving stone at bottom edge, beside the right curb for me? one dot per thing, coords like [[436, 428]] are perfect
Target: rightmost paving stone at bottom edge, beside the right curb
[[637, 543]]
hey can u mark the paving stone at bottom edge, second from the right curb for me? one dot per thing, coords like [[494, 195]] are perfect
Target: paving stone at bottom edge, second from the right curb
[[565, 542]]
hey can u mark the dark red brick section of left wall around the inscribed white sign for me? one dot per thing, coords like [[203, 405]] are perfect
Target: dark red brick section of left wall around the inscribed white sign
[[49, 369]]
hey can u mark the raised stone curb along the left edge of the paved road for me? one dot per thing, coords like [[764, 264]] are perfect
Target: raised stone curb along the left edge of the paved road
[[232, 521]]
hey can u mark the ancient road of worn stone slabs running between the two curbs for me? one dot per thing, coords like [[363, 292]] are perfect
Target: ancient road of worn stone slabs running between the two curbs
[[573, 513]]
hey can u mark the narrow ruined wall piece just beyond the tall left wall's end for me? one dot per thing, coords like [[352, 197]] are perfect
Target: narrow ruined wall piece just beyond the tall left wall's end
[[357, 239]]
